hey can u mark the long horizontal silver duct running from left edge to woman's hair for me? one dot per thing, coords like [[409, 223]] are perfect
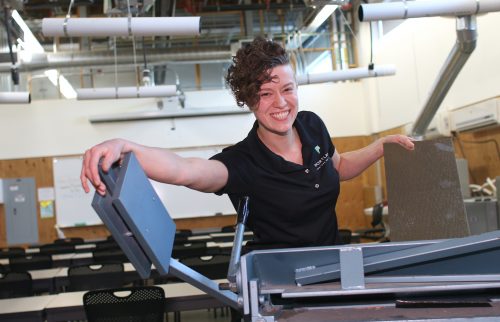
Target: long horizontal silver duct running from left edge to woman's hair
[[103, 58]]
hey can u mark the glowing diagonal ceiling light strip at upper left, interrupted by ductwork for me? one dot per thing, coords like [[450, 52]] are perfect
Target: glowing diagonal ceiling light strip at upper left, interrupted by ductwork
[[31, 46]]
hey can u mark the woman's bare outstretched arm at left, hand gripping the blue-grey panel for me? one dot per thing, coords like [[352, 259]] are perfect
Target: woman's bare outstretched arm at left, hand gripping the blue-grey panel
[[159, 164]]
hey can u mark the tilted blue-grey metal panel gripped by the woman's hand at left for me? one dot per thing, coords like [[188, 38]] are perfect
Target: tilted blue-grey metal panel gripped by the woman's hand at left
[[136, 217]]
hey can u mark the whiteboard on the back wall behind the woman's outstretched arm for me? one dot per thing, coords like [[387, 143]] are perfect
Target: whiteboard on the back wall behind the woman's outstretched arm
[[73, 205]]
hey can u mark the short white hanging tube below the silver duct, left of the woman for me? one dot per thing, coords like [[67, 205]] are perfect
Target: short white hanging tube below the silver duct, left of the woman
[[126, 92]]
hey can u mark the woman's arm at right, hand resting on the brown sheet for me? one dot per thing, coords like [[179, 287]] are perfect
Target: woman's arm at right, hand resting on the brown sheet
[[352, 163]]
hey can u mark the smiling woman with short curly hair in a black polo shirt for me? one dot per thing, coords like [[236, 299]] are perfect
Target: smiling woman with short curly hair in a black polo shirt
[[287, 164]]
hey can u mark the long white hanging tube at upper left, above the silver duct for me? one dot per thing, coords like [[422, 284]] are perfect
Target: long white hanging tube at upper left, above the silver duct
[[121, 26]]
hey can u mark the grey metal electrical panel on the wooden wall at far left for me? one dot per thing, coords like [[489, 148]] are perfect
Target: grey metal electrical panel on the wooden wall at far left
[[20, 211]]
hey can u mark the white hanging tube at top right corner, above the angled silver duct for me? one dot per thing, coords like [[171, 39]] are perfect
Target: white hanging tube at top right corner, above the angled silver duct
[[425, 8]]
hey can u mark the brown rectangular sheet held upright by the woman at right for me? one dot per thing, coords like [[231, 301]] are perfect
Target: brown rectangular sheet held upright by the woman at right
[[424, 197]]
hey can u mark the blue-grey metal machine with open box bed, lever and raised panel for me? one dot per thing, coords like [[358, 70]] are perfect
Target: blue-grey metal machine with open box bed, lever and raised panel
[[452, 280]]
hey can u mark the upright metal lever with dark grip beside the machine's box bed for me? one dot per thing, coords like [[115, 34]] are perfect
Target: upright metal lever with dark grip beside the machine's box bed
[[234, 264]]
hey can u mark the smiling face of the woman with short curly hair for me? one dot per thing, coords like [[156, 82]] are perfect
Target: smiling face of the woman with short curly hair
[[277, 107]]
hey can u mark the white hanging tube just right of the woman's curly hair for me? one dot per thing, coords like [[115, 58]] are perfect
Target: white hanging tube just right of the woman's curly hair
[[347, 74]]
